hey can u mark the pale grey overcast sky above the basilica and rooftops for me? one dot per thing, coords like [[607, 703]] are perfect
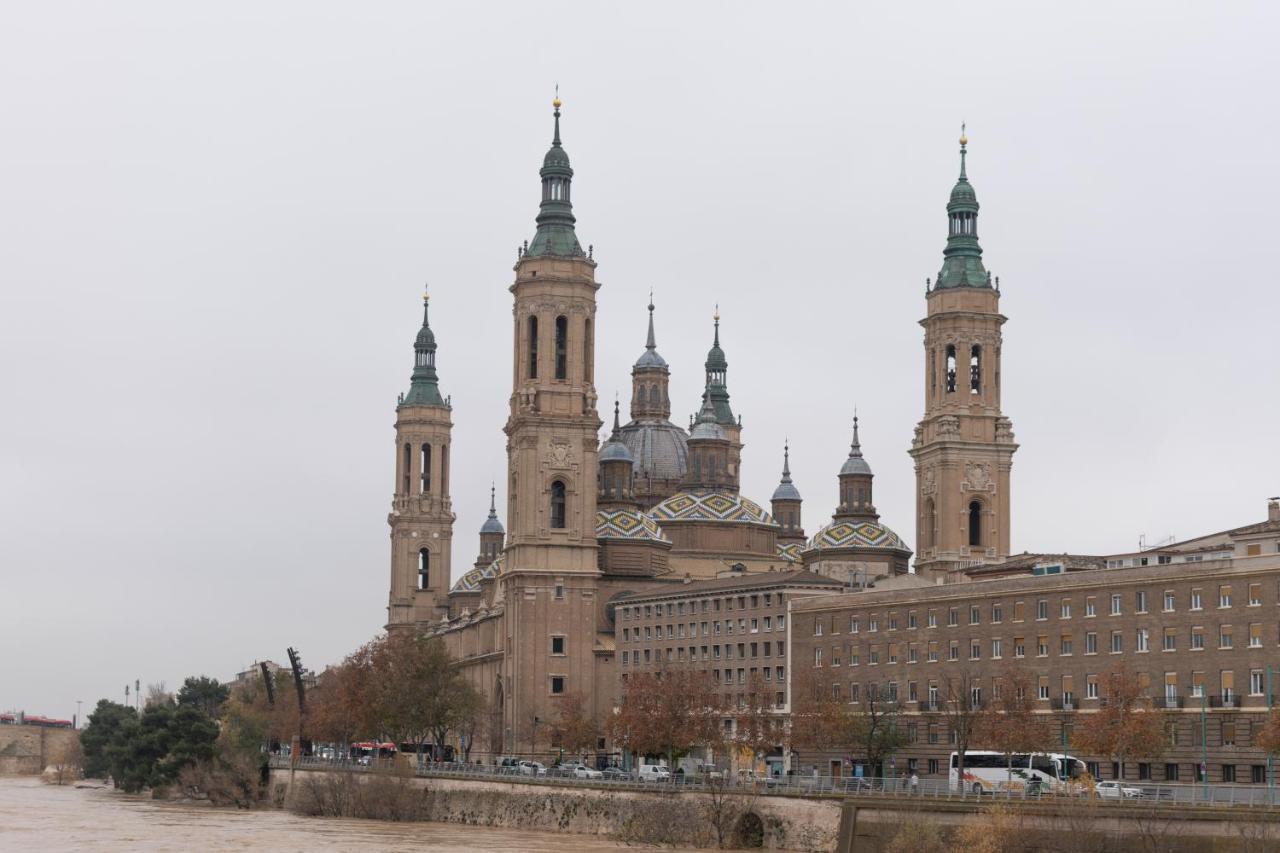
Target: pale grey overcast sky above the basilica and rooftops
[[218, 221]]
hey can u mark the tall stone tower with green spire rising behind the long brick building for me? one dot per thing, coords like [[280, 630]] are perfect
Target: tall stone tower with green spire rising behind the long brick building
[[964, 445]]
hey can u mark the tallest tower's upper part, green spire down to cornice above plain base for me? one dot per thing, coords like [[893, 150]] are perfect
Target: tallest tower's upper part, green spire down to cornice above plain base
[[552, 431]]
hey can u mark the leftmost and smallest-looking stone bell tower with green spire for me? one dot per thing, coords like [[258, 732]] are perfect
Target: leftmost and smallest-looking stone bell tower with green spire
[[422, 517]]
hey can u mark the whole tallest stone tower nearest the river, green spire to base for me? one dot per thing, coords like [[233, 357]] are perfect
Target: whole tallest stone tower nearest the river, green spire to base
[[550, 569]]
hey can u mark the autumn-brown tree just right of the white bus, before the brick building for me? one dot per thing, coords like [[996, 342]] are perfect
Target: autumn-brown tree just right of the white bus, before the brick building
[[1127, 726]]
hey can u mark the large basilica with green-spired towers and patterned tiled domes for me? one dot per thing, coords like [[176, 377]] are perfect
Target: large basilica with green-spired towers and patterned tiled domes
[[650, 509]]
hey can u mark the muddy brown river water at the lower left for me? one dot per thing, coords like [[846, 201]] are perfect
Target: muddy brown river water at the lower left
[[35, 816]]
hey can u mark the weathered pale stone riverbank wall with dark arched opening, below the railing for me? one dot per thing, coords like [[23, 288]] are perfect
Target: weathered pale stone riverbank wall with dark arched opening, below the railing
[[684, 818]]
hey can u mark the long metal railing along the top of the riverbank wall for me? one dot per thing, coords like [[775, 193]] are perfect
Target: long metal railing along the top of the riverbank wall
[[1122, 795]]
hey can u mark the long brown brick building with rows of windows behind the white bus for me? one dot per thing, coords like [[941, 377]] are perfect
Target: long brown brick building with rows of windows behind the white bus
[[1203, 636]]
